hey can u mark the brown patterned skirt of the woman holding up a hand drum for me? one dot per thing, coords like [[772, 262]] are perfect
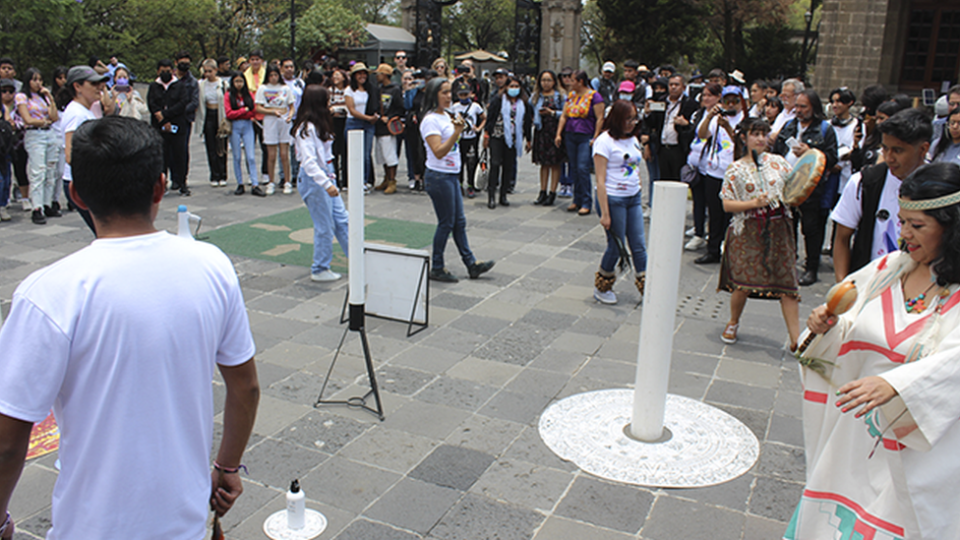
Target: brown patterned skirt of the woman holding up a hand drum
[[761, 260]]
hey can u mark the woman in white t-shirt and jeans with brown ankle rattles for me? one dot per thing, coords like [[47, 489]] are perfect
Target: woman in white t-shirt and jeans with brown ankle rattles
[[617, 157]]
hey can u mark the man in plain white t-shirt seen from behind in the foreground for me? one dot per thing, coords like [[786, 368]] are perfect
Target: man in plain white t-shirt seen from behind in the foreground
[[125, 359]]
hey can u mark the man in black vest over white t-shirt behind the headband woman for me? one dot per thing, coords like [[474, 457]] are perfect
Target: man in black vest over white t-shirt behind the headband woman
[[868, 205]]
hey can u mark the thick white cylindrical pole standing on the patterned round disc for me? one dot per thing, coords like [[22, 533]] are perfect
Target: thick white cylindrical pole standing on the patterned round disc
[[659, 310]]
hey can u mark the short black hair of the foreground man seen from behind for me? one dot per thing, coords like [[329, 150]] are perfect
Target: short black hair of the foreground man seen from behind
[[116, 164]]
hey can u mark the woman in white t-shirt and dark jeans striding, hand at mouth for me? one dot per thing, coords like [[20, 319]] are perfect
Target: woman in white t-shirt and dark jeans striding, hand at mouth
[[442, 180]]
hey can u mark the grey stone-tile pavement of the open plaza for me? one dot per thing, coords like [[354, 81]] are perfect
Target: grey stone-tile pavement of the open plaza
[[459, 455]]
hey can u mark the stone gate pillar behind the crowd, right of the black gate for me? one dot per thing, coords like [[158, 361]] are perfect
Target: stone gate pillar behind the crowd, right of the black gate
[[560, 34]]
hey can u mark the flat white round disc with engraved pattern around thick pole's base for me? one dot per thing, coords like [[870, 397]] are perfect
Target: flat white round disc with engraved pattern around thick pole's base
[[708, 446]]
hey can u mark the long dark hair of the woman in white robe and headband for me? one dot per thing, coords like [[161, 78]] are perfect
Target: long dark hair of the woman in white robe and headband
[[929, 182]]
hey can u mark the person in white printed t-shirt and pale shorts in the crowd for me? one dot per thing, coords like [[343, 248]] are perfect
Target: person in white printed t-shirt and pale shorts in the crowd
[[275, 102]]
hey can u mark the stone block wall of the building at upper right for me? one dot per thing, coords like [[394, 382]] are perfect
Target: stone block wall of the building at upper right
[[860, 44]]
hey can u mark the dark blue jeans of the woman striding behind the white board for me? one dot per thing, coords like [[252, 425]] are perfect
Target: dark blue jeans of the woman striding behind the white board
[[444, 191]]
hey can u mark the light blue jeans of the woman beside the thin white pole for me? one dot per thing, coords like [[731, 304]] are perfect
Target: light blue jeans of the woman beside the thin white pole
[[329, 218]]
